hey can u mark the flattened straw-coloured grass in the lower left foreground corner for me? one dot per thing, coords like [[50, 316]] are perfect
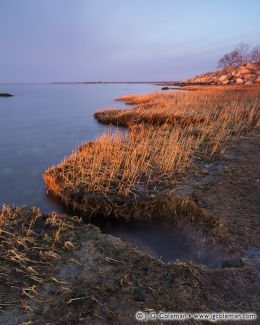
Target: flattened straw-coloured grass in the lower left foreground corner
[[30, 250]]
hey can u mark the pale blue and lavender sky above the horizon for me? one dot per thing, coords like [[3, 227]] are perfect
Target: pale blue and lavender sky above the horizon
[[120, 40]]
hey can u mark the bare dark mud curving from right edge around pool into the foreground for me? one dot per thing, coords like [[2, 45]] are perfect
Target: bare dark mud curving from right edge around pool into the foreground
[[103, 280]]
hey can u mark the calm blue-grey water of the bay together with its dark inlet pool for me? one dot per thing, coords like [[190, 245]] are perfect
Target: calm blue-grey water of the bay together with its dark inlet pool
[[43, 123]]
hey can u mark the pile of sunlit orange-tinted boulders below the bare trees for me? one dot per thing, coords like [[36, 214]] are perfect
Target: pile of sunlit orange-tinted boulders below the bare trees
[[247, 73]]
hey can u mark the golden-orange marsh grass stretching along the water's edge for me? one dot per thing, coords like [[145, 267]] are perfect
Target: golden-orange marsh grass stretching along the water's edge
[[167, 133]]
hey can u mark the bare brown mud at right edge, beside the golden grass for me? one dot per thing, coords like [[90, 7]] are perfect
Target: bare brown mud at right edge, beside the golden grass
[[229, 187]]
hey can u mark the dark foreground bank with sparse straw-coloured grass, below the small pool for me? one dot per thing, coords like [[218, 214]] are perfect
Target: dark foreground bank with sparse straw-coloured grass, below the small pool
[[57, 270]]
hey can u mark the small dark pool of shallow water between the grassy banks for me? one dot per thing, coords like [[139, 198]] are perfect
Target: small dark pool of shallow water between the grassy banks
[[166, 242]]
